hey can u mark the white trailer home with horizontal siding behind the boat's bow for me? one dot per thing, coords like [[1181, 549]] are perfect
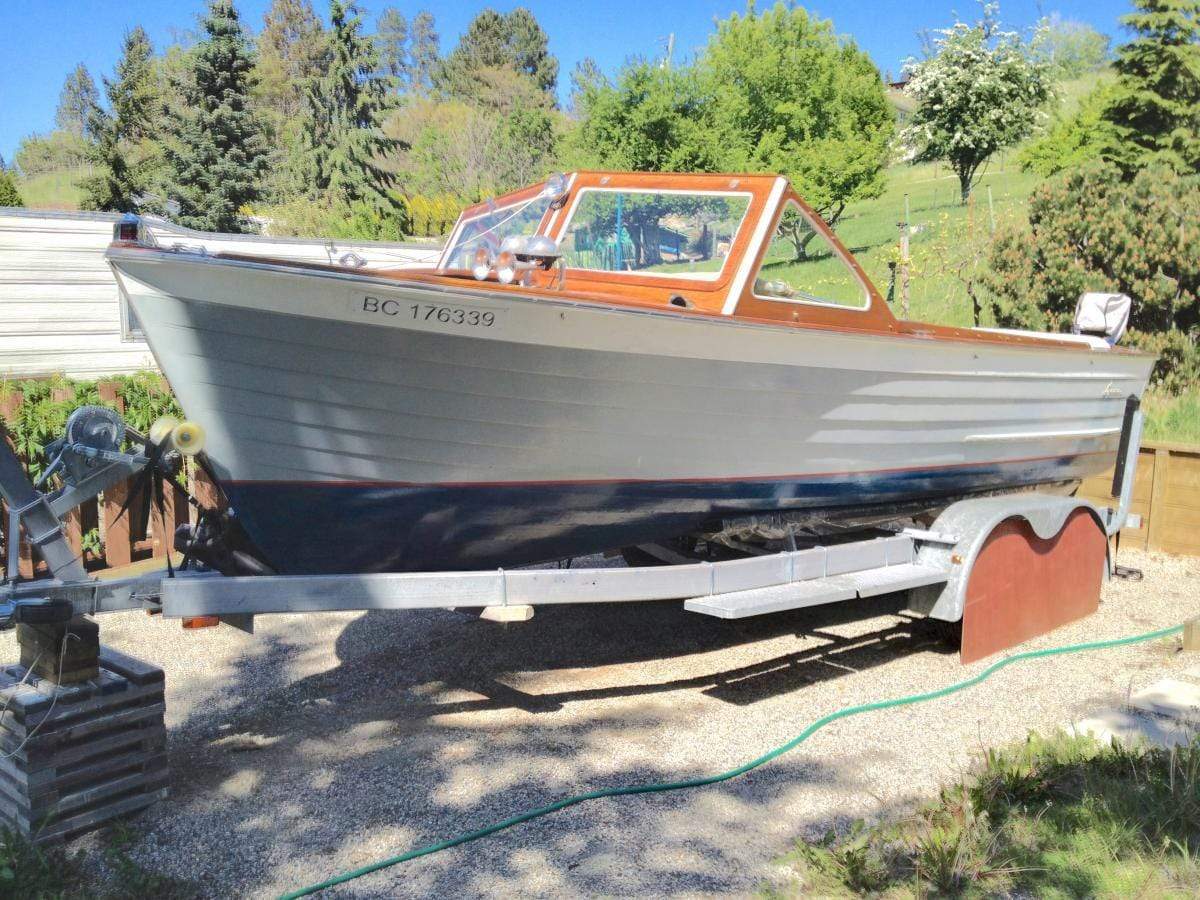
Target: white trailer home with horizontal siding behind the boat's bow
[[61, 309]]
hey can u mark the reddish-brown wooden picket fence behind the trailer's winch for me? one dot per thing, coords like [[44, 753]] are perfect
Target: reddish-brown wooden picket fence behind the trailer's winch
[[129, 530]]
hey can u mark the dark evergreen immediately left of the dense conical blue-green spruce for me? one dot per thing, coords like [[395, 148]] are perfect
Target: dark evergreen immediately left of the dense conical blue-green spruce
[[124, 146]]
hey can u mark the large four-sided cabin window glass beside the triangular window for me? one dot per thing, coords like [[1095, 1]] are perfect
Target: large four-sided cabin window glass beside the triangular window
[[674, 233]]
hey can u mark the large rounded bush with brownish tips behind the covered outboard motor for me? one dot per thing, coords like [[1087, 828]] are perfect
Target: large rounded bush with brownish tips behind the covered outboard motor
[[1090, 231]]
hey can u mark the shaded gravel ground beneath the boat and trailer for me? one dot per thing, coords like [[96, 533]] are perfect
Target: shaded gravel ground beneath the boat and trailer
[[323, 743]]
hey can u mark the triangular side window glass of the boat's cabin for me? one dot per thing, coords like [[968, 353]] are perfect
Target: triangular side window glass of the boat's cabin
[[802, 267]]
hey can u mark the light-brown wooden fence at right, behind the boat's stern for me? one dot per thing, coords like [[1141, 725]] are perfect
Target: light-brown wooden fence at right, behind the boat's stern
[[1166, 495]]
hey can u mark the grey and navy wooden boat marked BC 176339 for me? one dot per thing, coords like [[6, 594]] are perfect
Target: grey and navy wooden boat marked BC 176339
[[602, 362]]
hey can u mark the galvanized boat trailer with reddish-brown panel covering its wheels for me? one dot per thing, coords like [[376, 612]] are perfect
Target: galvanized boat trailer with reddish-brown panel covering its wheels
[[1007, 567]]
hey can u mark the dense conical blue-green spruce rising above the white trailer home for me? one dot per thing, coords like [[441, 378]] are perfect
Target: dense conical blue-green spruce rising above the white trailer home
[[218, 155]]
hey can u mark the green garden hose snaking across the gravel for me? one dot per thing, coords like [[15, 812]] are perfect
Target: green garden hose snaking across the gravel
[[847, 712]]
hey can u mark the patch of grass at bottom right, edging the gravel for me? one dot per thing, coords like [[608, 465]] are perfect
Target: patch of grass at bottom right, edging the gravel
[[1059, 818]]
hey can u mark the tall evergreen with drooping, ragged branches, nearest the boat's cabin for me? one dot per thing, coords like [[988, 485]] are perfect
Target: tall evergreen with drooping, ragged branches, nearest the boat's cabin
[[341, 141]]
